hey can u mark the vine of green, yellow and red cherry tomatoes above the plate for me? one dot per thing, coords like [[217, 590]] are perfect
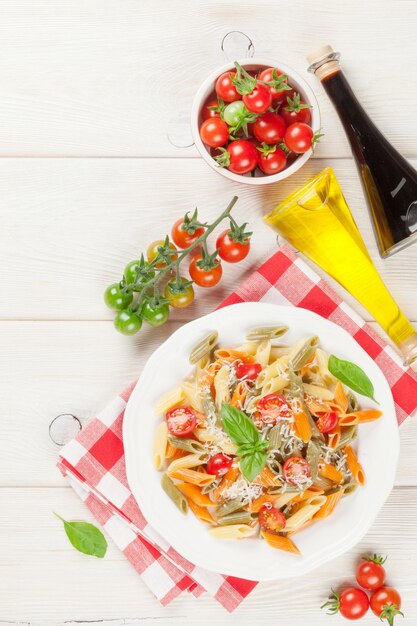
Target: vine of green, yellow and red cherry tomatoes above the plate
[[144, 296]]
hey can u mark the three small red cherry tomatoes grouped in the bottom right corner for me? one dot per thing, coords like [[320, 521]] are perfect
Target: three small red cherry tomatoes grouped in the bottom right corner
[[354, 603]]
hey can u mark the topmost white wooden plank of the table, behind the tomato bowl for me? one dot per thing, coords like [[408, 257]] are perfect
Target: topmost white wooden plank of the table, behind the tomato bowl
[[106, 77]]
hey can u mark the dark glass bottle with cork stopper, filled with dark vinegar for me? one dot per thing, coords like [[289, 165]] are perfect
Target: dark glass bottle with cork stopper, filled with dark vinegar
[[389, 181]]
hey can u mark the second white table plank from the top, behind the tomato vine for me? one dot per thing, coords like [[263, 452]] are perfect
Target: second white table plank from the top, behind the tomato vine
[[71, 225]]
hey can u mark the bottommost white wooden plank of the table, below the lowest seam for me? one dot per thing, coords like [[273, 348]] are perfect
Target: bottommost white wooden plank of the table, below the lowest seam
[[44, 577]]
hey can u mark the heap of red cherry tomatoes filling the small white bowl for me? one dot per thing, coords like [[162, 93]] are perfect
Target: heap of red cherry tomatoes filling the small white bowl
[[256, 120]]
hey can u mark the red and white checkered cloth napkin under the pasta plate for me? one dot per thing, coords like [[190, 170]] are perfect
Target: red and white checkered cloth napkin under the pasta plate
[[94, 460]]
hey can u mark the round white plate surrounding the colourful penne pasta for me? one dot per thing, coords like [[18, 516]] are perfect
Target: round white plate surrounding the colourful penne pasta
[[377, 445]]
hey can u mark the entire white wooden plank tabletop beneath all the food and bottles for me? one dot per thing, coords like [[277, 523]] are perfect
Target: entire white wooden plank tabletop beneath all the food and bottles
[[87, 179]]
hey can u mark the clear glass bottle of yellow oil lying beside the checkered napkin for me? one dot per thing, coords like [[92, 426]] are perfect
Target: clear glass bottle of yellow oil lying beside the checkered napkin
[[316, 220]]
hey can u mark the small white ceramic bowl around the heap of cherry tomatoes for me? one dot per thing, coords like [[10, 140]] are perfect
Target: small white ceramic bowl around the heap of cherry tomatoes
[[207, 88]]
